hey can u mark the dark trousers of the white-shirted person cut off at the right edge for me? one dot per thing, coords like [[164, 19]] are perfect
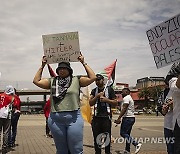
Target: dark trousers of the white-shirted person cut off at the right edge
[[177, 139]]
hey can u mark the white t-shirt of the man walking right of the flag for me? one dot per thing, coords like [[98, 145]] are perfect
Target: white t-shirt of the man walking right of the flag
[[130, 110]]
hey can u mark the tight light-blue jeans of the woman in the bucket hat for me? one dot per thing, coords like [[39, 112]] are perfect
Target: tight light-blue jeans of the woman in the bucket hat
[[67, 131]]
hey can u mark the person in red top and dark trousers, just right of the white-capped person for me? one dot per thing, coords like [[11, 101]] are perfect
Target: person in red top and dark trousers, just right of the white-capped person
[[14, 120]]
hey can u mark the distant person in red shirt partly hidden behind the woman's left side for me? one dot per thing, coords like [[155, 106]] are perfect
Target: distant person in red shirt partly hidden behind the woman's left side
[[47, 108]]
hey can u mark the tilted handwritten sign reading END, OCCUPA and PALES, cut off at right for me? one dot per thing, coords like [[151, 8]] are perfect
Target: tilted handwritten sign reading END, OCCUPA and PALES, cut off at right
[[164, 40]]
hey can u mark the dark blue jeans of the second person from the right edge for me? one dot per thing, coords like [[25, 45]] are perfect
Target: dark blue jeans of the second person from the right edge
[[168, 134]]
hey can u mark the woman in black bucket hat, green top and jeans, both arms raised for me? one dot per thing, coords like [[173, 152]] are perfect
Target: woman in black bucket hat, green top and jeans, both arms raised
[[65, 120]]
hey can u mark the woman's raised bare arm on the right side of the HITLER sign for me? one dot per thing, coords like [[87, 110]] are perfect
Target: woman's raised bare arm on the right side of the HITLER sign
[[90, 78]]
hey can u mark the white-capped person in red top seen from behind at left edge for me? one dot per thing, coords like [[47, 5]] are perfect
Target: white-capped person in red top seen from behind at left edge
[[6, 99]]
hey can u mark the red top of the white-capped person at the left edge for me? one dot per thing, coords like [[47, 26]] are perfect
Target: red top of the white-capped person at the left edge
[[5, 99]]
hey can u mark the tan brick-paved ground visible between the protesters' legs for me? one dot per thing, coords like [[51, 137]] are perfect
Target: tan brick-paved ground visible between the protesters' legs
[[31, 136]]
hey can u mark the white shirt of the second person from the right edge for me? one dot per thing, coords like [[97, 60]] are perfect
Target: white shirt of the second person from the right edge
[[168, 118]]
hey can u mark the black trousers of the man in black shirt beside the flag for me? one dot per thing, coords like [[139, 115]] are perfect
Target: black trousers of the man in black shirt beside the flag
[[101, 127]]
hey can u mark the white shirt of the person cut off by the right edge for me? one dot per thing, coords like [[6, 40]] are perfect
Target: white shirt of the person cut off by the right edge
[[176, 100]]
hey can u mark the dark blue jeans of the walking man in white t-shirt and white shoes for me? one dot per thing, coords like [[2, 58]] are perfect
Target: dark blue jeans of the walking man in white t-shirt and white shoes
[[125, 131]]
